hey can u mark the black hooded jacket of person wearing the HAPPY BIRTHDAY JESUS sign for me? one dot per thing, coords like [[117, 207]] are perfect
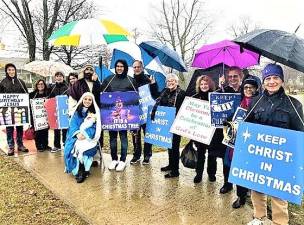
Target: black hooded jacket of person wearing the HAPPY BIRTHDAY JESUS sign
[[12, 85]]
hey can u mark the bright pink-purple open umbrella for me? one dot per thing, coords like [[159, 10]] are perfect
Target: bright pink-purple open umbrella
[[226, 52]]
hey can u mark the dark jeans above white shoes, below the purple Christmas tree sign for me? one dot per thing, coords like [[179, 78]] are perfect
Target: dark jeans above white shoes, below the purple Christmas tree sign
[[123, 134]]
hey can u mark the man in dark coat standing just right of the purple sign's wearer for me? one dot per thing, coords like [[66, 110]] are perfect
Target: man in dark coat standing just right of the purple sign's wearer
[[142, 79]]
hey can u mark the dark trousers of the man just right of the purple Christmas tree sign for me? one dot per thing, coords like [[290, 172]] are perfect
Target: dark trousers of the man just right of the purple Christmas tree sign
[[136, 138]]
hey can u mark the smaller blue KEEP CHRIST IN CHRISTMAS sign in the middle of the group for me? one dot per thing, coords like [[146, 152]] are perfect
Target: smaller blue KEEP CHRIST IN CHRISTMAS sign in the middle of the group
[[158, 130]]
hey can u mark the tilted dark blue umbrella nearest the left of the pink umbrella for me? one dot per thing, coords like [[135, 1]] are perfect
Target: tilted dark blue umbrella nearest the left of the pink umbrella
[[167, 56]]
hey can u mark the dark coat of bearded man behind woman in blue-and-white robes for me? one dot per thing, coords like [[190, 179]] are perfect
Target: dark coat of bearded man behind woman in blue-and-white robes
[[81, 86]]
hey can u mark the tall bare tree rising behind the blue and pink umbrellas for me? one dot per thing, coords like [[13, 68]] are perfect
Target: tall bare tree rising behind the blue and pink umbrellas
[[182, 25]]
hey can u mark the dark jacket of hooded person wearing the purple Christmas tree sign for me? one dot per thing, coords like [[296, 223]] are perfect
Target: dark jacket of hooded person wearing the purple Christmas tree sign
[[116, 82]]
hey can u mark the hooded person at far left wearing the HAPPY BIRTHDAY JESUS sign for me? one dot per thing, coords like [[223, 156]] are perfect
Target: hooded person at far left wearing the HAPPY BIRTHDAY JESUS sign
[[12, 84]]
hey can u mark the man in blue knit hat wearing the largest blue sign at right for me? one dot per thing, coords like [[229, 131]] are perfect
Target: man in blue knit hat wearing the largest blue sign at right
[[274, 108]]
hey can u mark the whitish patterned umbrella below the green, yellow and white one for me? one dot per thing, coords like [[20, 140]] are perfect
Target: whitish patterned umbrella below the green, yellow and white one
[[48, 68]]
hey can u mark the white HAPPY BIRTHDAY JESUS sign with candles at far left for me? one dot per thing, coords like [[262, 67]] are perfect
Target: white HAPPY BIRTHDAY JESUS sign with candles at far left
[[14, 109]]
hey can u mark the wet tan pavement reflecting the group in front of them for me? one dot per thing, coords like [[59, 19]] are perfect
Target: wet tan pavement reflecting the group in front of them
[[139, 195]]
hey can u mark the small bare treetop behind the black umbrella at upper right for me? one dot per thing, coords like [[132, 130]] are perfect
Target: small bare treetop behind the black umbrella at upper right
[[244, 25]]
